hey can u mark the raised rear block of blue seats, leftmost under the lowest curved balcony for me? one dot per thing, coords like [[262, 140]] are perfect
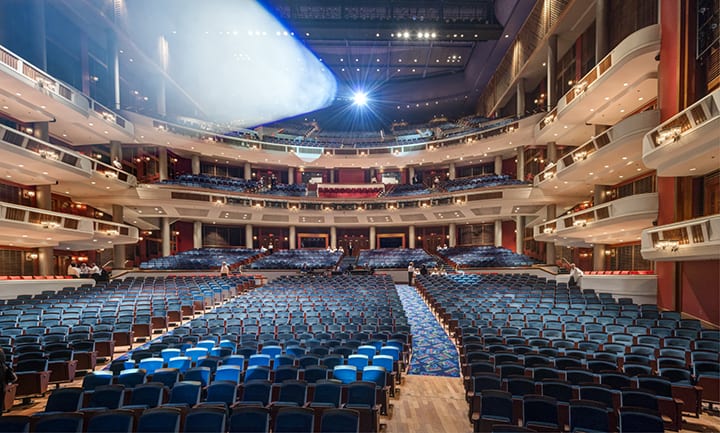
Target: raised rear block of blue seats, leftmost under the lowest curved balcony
[[202, 259]]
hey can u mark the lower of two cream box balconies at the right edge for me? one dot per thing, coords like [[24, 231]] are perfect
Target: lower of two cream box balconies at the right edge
[[696, 239]]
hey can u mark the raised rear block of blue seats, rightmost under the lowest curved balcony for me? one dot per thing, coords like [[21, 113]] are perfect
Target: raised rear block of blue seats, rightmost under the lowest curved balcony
[[485, 256]]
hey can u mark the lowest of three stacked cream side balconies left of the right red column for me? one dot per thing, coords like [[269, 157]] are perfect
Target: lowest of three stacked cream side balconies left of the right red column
[[613, 222]]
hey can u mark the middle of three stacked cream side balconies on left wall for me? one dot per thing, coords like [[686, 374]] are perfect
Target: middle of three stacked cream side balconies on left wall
[[31, 161]]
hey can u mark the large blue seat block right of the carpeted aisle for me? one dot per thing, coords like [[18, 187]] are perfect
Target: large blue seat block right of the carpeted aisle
[[521, 335]]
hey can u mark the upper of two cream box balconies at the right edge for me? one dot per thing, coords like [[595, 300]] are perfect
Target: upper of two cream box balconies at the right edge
[[687, 144]]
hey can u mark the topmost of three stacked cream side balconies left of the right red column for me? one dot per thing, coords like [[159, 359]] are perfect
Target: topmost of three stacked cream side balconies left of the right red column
[[621, 83]]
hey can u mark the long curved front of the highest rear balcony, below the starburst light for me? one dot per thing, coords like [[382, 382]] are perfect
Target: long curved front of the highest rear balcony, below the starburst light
[[494, 141]]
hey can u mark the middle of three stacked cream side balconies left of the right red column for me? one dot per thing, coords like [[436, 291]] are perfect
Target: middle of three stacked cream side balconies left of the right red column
[[614, 155]]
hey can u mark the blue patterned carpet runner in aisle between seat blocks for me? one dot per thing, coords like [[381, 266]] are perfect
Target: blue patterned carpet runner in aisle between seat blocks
[[433, 352]]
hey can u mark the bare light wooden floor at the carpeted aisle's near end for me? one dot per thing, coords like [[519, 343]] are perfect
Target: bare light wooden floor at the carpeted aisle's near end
[[430, 404]]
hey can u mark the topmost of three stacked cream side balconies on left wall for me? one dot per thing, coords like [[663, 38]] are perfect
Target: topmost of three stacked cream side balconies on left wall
[[31, 95]]
